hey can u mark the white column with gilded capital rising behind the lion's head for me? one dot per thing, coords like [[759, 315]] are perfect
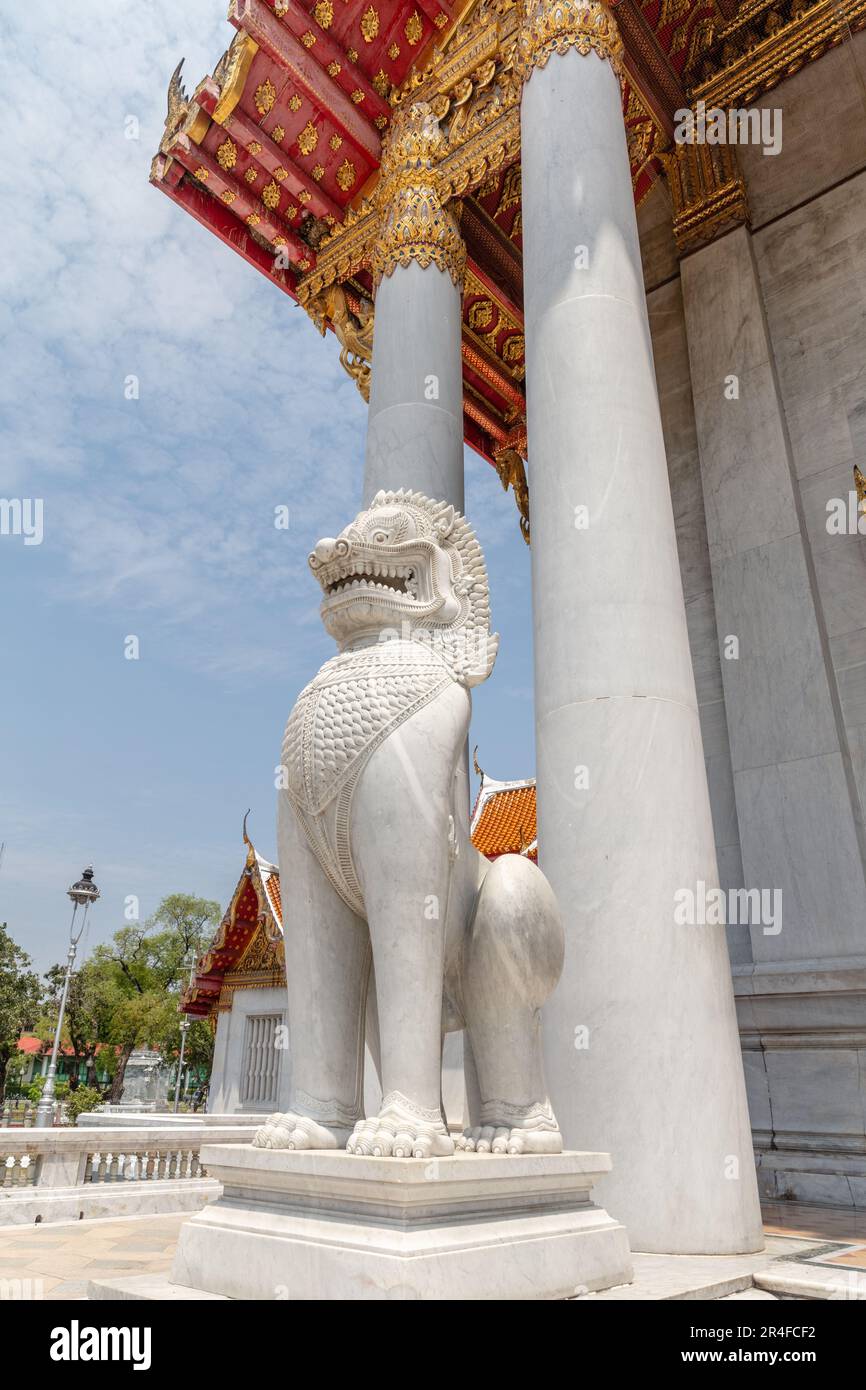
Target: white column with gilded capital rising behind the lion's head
[[415, 432]]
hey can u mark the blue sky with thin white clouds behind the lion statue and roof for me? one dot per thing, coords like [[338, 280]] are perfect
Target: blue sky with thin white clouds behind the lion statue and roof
[[159, 512]]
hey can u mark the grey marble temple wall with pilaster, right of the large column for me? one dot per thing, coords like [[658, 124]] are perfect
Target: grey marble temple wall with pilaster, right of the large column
[[782, 305]]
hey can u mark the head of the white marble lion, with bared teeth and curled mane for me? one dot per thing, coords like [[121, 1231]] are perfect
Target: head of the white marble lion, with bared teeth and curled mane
[[409, 569]]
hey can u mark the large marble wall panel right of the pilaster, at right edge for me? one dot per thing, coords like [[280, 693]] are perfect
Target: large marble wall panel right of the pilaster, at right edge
[[812, 269]]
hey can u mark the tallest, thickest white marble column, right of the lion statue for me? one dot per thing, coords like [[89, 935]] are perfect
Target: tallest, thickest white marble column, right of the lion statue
[[642, 1039]]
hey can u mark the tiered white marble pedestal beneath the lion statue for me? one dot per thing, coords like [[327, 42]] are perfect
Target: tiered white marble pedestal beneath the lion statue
[[334, 1227]]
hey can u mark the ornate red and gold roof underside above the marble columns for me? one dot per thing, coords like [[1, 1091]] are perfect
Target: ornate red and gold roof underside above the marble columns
[[279, 152]]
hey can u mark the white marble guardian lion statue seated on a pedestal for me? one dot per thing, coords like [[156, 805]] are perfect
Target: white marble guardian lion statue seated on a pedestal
[[383, 888]]
